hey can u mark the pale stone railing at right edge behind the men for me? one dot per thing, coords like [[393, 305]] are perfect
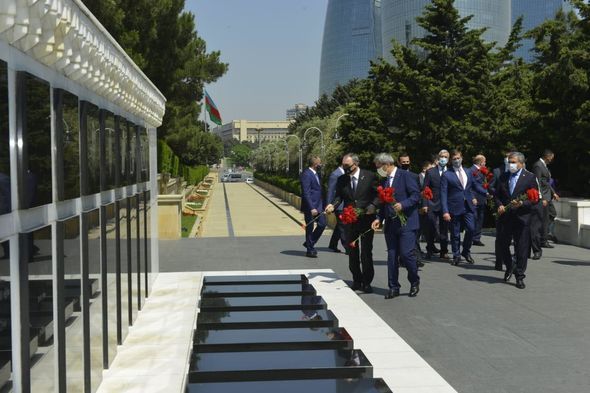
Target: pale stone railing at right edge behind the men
[[572, 225]]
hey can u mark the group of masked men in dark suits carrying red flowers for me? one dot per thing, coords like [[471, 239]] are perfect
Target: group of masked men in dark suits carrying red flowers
[[445, 200]]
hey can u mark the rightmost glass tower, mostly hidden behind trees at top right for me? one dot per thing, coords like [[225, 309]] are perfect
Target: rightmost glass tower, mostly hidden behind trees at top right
[[534, 13]]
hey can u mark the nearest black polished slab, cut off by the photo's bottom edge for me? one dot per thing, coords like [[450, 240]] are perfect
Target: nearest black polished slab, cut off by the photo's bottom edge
[[365, 385]]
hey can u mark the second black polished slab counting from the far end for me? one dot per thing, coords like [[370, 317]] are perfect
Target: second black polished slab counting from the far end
[[257, 290]]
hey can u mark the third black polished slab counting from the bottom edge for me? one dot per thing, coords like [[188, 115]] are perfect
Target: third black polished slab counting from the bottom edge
[[271, 339]]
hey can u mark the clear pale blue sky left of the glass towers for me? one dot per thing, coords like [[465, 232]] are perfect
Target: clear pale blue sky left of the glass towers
[[273, 49]]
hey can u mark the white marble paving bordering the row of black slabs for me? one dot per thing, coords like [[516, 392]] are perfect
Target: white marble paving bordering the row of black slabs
[[154, 357]]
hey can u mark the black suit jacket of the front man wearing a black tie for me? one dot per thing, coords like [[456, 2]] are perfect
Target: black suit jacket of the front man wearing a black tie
[[365, 196]]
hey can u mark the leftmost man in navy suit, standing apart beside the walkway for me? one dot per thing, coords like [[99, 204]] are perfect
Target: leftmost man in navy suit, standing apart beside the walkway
[[312, 205]]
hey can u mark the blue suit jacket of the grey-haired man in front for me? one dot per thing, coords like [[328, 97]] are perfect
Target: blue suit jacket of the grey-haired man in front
[[407, 193]]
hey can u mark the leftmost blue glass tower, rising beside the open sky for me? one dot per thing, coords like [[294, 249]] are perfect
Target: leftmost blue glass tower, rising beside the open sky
[[352, 38]]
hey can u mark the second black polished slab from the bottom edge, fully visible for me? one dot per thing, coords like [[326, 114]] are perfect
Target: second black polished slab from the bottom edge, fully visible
[[278, 365]]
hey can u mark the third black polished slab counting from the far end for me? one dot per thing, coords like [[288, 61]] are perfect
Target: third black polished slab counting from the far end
[[262, 303]]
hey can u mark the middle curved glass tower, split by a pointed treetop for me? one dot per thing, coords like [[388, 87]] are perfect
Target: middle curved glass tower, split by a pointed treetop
[[399, 20]]
